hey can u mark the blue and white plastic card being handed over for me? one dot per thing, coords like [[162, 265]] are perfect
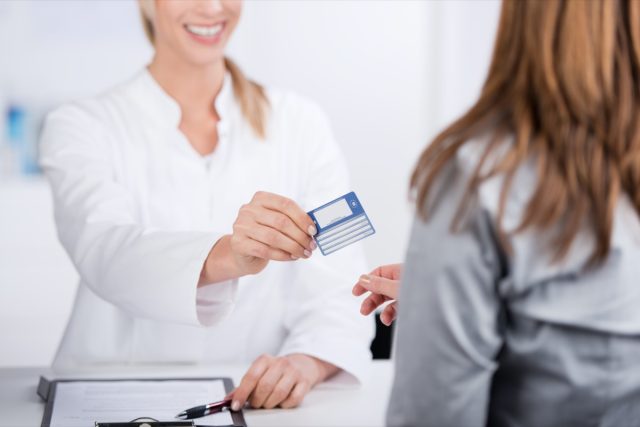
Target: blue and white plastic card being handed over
[[340, 223]]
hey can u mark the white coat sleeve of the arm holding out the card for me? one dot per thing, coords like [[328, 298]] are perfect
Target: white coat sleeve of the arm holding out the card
[[146, 272]]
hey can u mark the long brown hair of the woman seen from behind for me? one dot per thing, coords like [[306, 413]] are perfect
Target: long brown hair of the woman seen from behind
[[564, 88]]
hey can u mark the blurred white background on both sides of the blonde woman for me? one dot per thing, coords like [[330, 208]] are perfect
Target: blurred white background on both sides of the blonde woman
[[389, 74]]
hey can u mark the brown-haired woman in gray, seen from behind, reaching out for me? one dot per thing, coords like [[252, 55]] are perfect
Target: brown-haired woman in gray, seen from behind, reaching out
[[520, 300]]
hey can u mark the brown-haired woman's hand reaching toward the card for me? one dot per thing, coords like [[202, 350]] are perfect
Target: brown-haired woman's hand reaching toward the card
[[383, 283]]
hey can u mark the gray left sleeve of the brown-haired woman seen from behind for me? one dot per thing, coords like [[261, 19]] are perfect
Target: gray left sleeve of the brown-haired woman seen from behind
[[448, 330]]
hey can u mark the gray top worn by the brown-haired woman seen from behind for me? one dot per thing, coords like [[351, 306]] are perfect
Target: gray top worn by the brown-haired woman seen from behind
[[490, 338]]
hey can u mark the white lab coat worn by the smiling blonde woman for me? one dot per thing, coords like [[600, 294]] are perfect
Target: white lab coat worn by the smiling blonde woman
[[138, 209]]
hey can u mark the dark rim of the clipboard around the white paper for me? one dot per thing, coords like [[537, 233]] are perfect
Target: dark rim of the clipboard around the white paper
[[47, 392]]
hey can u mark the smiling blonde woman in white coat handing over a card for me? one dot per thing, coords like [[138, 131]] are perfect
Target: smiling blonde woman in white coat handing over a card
[[174, 194]]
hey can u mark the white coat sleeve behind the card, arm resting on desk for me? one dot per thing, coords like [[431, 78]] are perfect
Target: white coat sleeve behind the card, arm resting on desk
[[323, 317]]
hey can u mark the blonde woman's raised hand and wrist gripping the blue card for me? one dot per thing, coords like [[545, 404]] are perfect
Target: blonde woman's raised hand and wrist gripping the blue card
[[269, 227]]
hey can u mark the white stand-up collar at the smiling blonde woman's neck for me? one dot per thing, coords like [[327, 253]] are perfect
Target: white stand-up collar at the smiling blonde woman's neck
[[160, 107]]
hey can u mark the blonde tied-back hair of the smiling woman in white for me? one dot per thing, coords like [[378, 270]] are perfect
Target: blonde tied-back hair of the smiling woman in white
[[252, 97]]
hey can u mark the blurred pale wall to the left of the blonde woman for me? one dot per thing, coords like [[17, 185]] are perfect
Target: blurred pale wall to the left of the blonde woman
[[50, 52]]
